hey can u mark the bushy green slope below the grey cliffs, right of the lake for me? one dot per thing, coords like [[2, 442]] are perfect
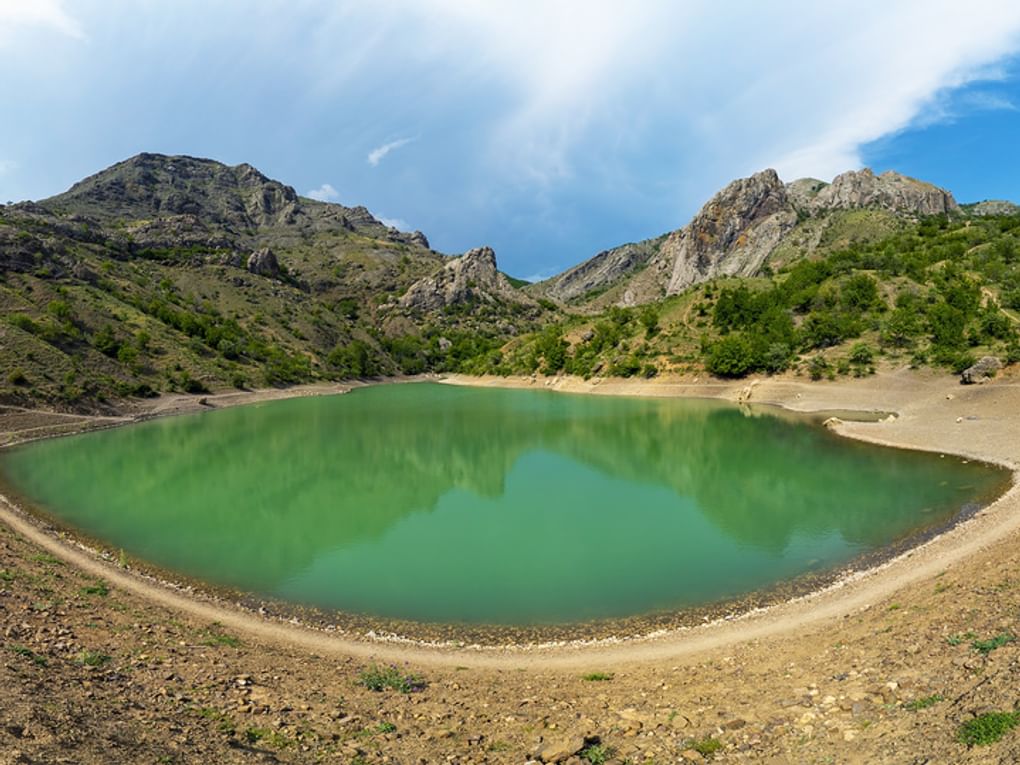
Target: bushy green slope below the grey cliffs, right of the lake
[[941, 292]]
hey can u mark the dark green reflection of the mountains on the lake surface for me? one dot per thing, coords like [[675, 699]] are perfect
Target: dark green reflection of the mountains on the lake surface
[[256, 480]]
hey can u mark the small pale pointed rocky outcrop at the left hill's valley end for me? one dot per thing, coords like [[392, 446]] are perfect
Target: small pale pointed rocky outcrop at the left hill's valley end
[[473, 278]]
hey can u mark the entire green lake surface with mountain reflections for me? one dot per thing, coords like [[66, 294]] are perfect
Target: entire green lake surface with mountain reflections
[[437, 503]]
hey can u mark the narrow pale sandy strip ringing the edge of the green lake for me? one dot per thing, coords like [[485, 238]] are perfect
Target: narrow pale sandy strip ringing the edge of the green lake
[[847, 594]]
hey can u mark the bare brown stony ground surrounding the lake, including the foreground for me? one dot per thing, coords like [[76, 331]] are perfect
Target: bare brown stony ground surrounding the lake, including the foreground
[[99, 667]]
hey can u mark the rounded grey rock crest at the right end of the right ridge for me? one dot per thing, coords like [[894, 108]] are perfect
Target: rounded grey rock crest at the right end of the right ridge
[[890, 191]]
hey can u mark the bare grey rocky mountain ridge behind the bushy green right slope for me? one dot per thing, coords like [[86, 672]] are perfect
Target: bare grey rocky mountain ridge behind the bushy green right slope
[[740, 230]]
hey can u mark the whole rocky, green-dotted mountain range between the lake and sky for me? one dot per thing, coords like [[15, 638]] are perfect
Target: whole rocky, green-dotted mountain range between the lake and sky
[[175, 274]]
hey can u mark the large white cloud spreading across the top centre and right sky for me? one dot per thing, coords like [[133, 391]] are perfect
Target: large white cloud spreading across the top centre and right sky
[[801, 87]]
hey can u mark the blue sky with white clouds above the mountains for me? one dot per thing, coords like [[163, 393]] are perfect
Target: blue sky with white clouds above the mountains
[[550, 130]]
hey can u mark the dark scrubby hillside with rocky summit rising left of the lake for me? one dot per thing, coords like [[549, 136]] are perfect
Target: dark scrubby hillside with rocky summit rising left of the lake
[[176, 274]]
